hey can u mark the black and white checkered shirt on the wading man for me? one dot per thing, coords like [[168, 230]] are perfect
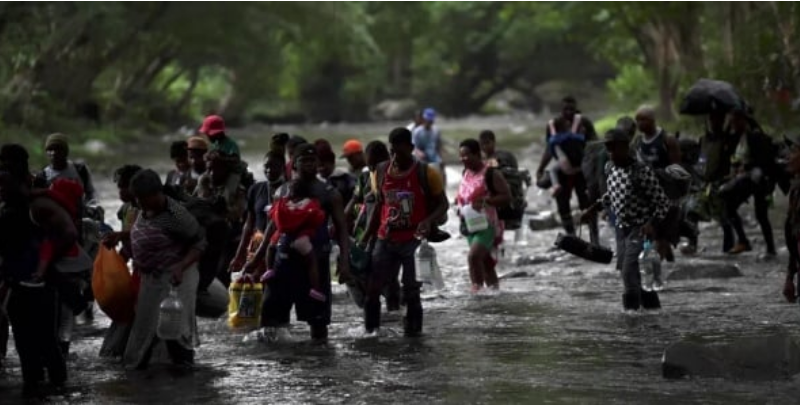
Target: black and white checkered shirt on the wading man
[[635, 195]]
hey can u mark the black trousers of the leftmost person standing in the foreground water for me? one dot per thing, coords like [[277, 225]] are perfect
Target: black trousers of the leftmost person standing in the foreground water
[[33, 313]]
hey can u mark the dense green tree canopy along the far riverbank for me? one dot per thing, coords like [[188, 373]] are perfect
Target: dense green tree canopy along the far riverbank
[[166, 63]]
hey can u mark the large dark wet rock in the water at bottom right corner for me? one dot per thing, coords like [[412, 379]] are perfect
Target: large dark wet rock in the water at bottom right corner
[[762, 358]]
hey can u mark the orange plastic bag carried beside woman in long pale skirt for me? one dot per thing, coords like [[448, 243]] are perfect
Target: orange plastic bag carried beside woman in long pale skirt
[[113, 286]]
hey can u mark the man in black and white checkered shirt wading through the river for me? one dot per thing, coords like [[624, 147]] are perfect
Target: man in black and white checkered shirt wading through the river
[[639, 203]]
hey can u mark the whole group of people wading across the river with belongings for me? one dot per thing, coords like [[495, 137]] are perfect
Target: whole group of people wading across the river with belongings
[[209, 219]]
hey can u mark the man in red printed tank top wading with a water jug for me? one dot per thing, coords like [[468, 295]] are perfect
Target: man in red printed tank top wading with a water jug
[[410, 202]]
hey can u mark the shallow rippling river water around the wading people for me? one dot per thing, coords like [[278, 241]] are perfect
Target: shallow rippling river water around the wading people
[[555, 336]]
